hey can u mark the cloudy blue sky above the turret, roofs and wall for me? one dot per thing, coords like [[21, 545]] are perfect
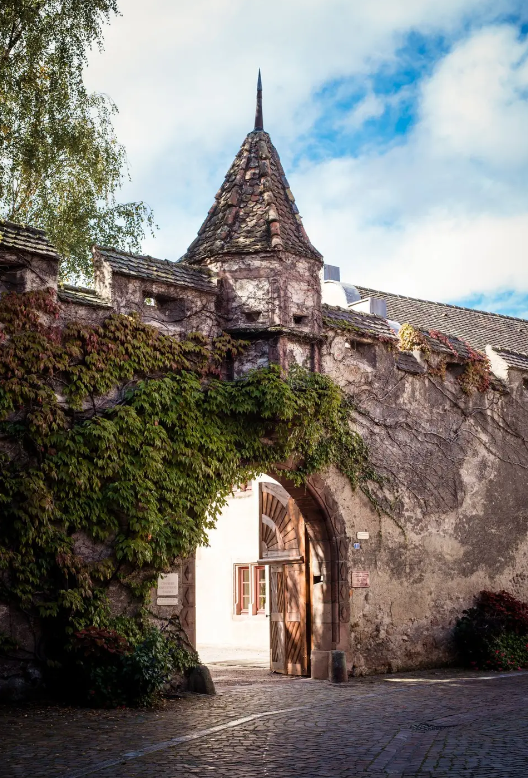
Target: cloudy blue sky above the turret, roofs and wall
[[402, 126]]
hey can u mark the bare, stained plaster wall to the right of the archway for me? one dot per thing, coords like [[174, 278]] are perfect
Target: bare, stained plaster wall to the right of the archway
[[457, 515]]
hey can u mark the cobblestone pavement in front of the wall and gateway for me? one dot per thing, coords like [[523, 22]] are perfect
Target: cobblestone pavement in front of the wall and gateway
[[428, 725]]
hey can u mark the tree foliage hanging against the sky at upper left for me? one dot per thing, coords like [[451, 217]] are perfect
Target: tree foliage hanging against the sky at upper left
[[60, 163]]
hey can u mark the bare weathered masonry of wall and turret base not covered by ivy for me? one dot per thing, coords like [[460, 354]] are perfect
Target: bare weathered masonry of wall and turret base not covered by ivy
[[455, 518]]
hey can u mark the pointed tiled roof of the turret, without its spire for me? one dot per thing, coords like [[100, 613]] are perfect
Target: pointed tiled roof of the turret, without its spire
[[254, 209]]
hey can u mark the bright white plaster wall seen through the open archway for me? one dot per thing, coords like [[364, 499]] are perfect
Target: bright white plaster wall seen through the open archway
[[234, 541]]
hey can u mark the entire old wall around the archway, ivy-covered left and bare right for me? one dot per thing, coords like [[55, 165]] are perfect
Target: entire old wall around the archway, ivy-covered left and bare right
[[121, 433]]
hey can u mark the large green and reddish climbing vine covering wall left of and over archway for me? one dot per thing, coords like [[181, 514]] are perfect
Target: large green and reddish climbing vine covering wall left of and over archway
[[128, 440]]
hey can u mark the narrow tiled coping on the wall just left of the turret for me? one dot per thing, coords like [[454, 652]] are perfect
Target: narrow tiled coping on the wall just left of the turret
[[123, 263]]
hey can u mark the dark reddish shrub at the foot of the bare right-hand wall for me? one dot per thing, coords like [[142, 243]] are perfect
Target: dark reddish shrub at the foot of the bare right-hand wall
[[493, 634]]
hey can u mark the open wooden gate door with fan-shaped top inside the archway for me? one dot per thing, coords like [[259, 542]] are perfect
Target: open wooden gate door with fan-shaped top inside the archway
[[283, 547]]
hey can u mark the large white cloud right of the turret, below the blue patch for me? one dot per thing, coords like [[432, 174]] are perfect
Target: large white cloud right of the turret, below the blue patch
[[445, 214]]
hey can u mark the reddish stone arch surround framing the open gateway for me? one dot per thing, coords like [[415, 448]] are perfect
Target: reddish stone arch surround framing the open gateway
[[328, 594]]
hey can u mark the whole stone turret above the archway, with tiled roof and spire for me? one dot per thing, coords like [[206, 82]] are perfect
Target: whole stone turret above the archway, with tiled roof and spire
[[269, 273]]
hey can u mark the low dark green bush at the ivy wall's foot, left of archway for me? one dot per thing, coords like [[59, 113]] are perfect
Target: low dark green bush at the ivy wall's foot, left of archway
[[109, 671]]
